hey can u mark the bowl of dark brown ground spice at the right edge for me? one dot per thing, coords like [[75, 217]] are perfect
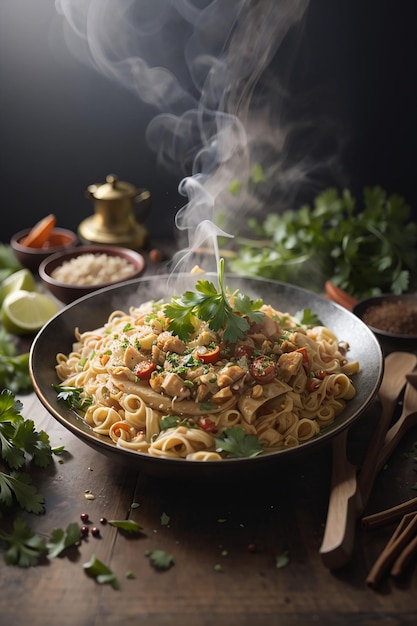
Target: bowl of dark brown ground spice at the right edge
[[392, 318]]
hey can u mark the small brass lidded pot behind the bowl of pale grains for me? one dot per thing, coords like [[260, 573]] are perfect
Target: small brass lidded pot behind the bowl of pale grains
[[114, 221]]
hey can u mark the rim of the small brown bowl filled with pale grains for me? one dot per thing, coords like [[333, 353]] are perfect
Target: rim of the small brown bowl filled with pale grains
[[136, 258]]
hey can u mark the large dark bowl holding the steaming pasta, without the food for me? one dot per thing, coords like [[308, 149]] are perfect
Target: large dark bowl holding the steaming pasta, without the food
[[93, 311]]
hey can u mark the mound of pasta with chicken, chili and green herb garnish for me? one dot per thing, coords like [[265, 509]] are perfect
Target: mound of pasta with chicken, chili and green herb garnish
[[207, 376]]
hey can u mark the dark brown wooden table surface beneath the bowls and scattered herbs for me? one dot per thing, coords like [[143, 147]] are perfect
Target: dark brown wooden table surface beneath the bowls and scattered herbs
[[224, 537]]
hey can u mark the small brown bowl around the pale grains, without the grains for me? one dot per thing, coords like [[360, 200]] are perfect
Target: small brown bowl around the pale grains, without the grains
[[68, 292]]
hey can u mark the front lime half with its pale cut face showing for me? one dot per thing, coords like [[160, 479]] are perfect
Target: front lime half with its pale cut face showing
[[25, 312]]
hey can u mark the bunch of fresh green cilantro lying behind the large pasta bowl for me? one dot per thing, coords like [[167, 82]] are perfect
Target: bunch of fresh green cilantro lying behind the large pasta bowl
[[364, 249]]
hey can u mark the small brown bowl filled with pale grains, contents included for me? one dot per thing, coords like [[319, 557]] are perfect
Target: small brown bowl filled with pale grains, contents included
[[93, 273]]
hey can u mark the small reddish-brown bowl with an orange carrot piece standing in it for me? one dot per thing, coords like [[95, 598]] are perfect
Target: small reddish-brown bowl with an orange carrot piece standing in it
[[60, 239]]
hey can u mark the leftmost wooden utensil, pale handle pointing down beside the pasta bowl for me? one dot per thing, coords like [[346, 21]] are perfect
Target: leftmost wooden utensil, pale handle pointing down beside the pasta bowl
[[339, 533]]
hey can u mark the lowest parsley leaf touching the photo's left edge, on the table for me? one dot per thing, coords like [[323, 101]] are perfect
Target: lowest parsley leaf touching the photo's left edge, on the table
[[25, 548]]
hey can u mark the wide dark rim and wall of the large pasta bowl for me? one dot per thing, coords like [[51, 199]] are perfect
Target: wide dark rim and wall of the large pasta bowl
[[108, 297]]
